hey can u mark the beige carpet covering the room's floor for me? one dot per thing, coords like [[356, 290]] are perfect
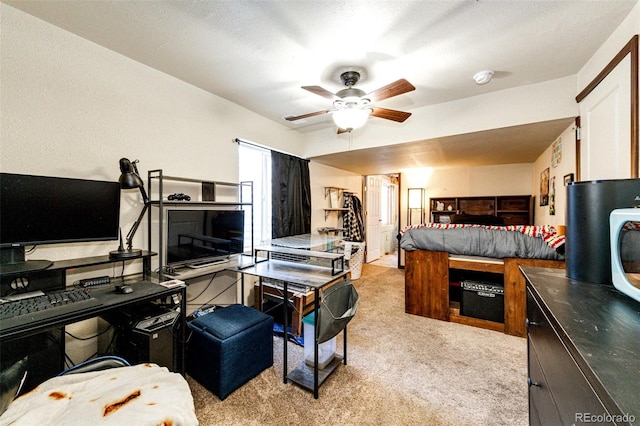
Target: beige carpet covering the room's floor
[[402, 370]]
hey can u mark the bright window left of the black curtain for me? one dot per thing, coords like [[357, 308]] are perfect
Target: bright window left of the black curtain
[[255, 166]]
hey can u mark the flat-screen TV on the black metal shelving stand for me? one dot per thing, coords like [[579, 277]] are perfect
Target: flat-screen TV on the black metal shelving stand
[[198, 236]]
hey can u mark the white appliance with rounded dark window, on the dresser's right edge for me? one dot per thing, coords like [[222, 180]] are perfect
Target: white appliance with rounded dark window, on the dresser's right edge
[[625, 250]]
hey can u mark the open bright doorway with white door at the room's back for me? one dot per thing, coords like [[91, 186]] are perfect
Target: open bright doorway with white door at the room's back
[[382, 218]]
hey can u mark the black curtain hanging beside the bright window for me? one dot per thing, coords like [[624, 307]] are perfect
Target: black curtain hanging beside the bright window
[[290, 195]]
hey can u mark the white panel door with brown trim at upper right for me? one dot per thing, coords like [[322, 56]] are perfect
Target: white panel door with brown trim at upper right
[[605, 120]]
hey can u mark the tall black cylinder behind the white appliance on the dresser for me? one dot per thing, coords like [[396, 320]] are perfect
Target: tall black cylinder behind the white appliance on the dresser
[[589, 204]]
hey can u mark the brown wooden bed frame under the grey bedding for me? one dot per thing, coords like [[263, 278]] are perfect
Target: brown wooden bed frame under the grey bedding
[[427, 287]]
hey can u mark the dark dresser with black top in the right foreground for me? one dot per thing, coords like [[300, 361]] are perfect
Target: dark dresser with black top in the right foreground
[[583, 350]]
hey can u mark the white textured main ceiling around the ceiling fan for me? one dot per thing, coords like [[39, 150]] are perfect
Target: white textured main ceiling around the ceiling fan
[[259, 53]]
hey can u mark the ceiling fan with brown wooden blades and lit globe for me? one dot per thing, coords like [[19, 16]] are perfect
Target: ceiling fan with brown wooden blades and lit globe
[[352, 106]]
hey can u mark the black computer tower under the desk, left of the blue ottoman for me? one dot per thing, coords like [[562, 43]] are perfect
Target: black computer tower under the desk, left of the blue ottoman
[[145, 334]]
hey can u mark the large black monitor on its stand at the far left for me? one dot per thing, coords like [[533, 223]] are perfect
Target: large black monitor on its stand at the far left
[[37, 210]]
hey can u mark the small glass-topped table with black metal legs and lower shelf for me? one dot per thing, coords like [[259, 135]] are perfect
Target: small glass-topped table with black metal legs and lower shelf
[[312, 276]]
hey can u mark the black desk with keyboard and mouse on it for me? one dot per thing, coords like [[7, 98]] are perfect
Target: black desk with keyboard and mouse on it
[[143, 292]]
